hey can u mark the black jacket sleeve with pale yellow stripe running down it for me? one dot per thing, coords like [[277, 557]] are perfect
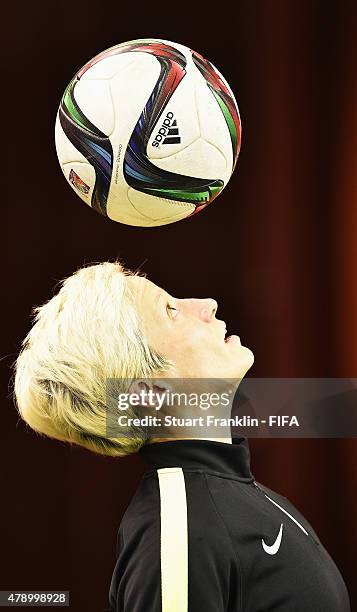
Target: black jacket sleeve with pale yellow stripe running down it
[[173, 547]]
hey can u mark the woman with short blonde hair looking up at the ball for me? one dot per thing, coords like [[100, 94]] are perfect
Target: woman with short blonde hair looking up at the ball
[[199, 534]]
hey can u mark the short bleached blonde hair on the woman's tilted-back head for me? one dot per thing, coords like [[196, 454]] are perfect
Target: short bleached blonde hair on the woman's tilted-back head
[[87, 333]]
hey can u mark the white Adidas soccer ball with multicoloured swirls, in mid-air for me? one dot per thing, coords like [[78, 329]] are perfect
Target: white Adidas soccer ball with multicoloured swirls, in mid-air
[[148, 132]]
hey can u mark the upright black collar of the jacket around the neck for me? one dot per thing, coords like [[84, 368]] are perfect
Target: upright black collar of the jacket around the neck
[[231, 460]]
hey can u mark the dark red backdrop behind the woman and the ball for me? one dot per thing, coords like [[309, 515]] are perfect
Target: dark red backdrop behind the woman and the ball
[[277, 250]]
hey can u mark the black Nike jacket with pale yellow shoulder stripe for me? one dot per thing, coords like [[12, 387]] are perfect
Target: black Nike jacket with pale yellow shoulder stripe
[[200, 535]]
